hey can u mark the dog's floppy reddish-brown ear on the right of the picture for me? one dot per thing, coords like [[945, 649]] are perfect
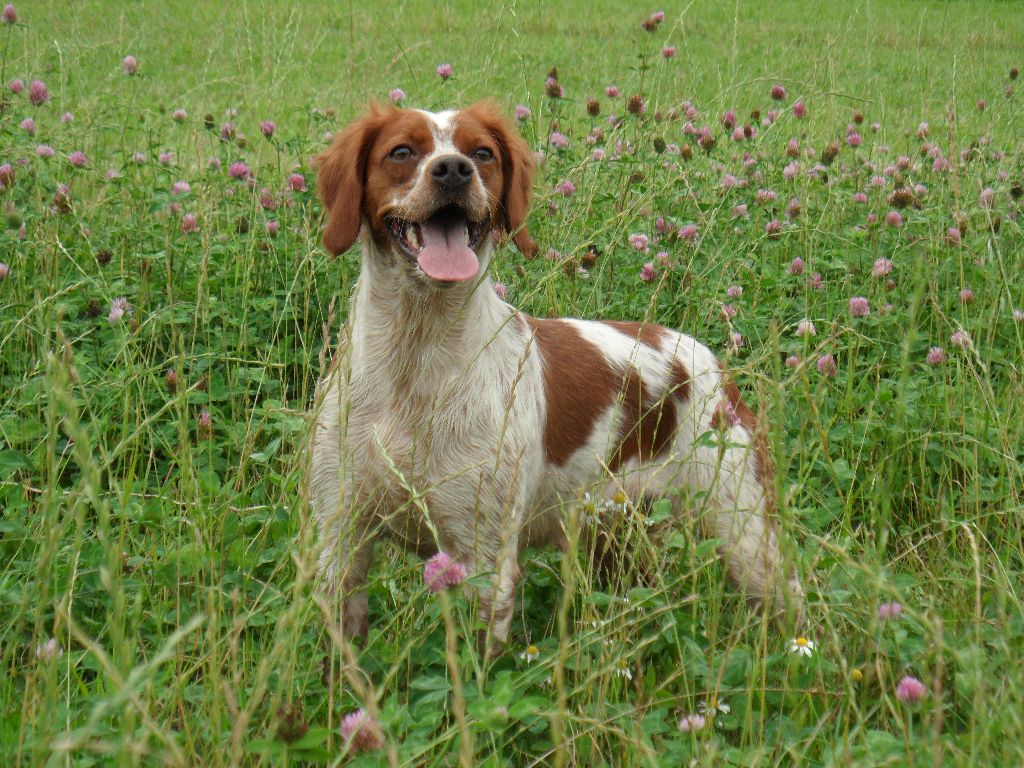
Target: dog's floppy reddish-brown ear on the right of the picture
[[518, 169]]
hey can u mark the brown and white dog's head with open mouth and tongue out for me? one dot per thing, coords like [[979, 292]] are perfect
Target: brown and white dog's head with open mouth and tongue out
[[431, 188]]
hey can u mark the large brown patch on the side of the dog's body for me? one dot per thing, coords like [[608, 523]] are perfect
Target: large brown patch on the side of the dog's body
[[580, 386]]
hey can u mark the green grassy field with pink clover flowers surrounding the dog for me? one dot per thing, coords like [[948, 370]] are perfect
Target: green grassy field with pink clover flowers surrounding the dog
[[165, 313]]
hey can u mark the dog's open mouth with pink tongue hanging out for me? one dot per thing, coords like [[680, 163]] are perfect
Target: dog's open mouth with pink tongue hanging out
[[443, 245]]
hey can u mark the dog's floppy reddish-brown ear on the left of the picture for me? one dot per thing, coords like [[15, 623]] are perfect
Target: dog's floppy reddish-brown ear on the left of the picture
[[342, 172]]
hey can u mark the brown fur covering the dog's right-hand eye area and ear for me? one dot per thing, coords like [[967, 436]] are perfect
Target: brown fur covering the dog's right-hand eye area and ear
[[475, 126]]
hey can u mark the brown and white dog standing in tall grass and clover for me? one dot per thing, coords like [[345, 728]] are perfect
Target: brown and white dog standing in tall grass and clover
[[451, 421]]
